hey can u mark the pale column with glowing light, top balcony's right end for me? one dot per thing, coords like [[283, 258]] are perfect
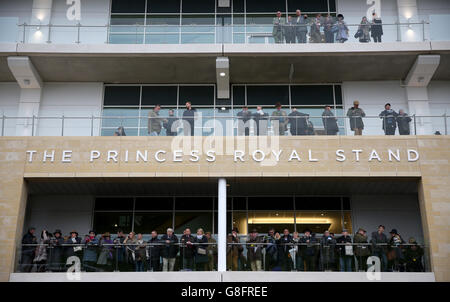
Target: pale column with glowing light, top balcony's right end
[[408, 13]]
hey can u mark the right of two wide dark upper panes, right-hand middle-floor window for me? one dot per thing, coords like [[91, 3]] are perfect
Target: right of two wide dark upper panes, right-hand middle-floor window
[[312, 95]]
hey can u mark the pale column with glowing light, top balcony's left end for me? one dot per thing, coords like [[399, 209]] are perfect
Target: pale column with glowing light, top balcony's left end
[[40, 14]]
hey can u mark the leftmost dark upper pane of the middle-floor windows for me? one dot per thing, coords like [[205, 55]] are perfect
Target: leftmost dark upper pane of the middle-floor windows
[[122, 95]]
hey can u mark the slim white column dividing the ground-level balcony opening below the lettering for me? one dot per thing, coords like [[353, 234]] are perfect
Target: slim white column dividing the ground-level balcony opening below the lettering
[[222, 226]]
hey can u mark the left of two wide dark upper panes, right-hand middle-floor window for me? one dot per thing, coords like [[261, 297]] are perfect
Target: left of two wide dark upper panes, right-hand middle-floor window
[[267, 95]]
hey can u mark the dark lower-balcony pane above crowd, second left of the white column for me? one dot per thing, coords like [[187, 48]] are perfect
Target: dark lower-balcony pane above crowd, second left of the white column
[[147, 222]]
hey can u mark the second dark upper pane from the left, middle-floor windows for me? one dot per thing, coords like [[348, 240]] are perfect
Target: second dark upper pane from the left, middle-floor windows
[[163, 95]]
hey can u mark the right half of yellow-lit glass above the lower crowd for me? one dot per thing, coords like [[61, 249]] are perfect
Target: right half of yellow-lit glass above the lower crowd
[[319, 221]]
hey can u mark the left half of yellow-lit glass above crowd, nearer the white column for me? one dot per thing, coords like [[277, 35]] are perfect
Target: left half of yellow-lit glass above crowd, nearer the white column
[[263, 221]]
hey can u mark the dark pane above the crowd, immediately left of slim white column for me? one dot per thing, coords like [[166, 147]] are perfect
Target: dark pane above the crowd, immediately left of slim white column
[[193, 220]]
